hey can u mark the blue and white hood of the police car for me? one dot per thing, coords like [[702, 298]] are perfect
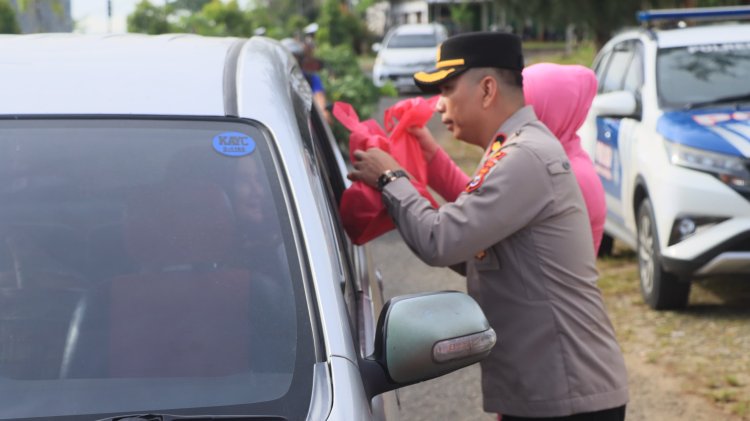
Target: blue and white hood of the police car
[[724, 130]]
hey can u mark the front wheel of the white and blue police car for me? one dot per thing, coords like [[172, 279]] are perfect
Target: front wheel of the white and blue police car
[[661, 290]]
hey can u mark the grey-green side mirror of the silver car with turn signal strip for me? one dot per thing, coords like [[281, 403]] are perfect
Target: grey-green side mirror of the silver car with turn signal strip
[[423, 336]]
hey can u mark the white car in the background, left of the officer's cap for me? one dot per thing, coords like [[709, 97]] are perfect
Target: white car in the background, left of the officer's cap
[[405, 50]]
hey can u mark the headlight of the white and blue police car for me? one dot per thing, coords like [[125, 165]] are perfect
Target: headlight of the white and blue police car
[[731, 170]]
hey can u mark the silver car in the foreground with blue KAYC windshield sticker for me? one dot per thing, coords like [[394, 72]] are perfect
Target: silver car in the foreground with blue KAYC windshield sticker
[[171, 243]]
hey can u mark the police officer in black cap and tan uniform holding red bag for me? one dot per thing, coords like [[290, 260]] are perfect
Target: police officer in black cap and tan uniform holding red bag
[[521, 235]]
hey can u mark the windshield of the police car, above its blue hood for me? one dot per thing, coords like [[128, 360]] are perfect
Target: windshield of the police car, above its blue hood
[[702, 73]]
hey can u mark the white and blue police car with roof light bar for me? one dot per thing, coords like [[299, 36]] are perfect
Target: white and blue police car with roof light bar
[[669, 133]]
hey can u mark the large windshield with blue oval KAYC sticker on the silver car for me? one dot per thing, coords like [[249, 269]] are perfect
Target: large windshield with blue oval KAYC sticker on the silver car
[[147, 266]]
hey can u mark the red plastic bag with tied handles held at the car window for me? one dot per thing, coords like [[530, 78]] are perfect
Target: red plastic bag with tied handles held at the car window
[[362, 210]]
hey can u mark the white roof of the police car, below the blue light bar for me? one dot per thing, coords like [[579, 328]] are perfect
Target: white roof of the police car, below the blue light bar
[[707, 34]]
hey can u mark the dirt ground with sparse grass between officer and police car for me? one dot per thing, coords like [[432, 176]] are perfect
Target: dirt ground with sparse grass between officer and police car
[[689, 364]]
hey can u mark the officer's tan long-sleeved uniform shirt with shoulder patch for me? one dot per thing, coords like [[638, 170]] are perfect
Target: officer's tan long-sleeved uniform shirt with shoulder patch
[[556, 352]]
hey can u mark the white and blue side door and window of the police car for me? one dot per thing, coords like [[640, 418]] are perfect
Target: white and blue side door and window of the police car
[[620, 69]]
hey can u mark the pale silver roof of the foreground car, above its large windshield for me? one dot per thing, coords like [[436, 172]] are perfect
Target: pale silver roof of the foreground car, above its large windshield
[[174, 74]]
